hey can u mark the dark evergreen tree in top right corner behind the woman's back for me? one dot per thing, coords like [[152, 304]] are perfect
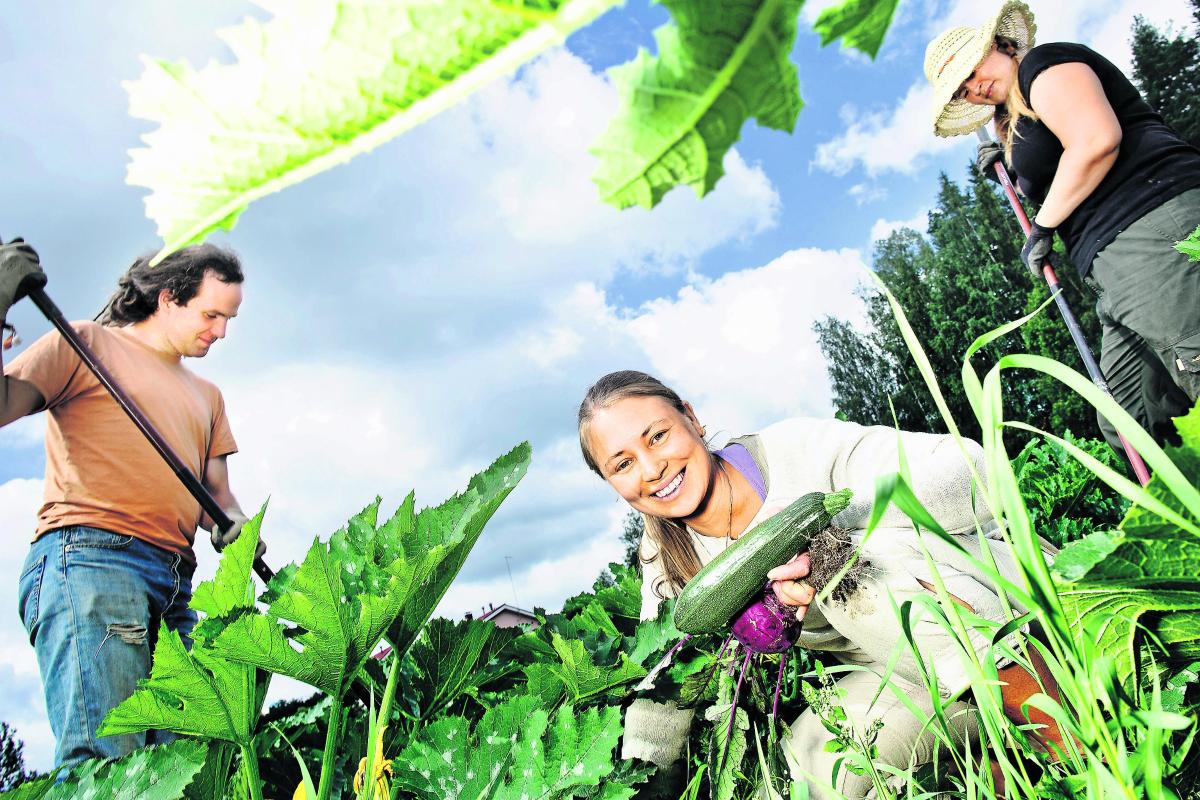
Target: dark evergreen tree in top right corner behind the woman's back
[[1167, 70]]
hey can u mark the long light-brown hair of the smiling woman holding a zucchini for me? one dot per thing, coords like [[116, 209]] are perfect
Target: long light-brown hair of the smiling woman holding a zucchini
[[671, 539]]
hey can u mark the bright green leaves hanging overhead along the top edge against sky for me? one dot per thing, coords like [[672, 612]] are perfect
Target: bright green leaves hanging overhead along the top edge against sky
[[326, 81]]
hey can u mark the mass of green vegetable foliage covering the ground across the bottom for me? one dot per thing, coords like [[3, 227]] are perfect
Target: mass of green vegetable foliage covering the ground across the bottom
[[469, 711]]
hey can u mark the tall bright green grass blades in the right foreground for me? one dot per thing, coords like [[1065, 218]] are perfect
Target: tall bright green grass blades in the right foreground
[[1119, 738]]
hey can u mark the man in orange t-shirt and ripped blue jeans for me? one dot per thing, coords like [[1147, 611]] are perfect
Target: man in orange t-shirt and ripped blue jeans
[[112, 555]]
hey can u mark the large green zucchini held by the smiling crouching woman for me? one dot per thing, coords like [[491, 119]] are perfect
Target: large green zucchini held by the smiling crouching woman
[[728, 584]]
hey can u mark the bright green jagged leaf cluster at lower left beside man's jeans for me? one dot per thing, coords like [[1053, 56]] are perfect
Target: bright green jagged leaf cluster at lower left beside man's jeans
[[323, 621]]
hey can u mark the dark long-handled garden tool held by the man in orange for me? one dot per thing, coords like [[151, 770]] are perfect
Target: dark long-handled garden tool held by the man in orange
[[34, 288]]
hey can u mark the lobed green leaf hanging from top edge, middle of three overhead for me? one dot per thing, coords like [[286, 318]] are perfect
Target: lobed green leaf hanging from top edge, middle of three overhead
[[718, 65]]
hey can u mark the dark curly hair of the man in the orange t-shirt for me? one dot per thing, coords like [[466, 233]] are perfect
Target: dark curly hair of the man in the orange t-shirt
[[181, 275]]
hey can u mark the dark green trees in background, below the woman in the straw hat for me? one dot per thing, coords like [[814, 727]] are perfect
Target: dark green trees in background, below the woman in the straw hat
[[959, 282]]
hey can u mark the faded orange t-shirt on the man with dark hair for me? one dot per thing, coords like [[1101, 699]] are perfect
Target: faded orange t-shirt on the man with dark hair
[[100, 470]]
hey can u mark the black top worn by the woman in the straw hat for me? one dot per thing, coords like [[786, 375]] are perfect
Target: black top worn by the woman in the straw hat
[[1154, 164]]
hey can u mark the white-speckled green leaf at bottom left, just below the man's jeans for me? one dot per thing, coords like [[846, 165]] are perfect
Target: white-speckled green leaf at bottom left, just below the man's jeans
[[160, 773]]
